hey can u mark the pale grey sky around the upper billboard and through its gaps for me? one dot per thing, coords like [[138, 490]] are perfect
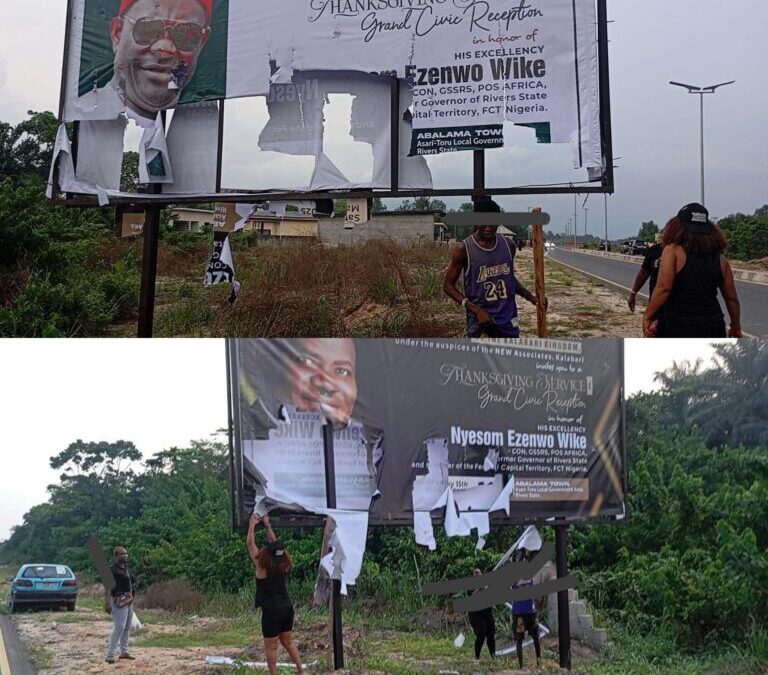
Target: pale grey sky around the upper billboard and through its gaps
[[655, 125]]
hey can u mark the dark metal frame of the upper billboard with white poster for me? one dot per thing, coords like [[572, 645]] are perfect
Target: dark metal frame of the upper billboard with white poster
[[156, 197]]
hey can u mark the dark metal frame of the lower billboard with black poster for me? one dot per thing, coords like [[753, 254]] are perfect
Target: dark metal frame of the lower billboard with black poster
[[288, 519]]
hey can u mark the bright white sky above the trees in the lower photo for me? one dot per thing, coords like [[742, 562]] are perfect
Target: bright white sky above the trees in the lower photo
[[157, 394]]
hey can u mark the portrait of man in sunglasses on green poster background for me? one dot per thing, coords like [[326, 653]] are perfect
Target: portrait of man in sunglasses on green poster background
[[141, 57]]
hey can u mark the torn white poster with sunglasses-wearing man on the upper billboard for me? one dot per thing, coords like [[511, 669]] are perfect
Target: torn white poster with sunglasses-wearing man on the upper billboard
[[472, 65]]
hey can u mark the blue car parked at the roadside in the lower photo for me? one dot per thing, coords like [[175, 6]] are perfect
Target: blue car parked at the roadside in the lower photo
[[43, 585]]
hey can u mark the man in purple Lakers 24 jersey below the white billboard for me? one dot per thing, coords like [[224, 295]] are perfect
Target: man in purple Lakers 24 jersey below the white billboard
[[486, 259]]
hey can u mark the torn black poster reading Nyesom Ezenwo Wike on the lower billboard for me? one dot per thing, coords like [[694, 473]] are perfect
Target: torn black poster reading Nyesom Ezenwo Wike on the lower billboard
[[522, 430]]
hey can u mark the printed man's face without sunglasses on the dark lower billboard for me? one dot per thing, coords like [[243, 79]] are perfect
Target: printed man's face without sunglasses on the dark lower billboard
[[323, 377]]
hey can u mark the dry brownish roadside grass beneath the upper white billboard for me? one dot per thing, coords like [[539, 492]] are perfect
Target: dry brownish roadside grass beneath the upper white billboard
[[300, 289]]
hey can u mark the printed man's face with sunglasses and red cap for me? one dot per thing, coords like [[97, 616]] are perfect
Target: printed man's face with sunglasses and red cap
[[157, 44]]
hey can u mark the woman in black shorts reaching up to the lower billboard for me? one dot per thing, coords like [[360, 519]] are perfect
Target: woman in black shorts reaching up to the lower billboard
[[272, 564]]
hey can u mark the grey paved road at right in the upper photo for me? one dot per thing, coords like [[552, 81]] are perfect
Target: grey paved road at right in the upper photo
[[753, 297]]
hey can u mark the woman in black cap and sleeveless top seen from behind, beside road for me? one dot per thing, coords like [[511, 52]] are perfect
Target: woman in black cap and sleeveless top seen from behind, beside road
[[692, 270]]
